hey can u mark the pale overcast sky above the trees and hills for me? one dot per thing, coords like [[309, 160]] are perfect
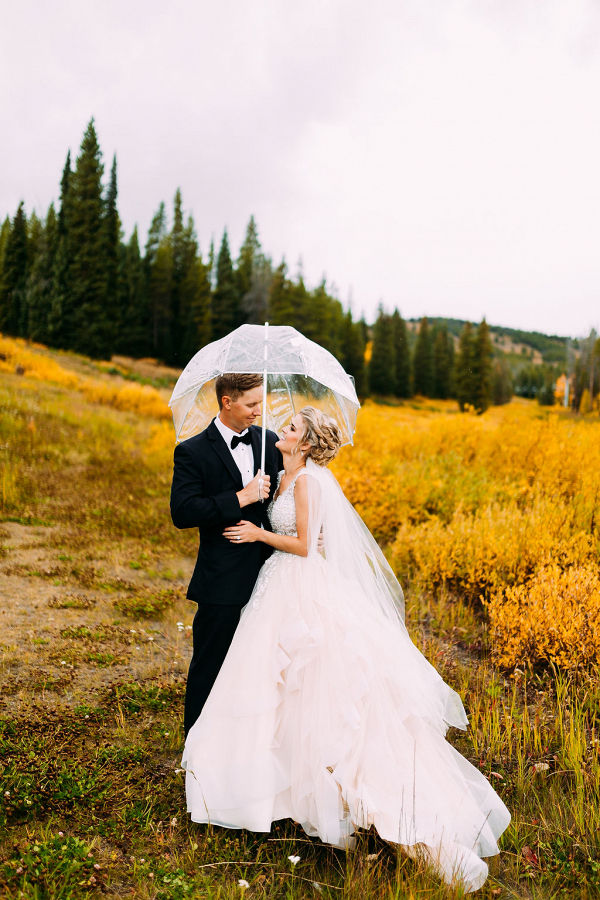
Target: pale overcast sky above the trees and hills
[[442, 156]]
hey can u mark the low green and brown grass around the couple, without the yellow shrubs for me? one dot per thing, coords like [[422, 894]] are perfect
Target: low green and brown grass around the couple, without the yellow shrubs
[[92, 675]]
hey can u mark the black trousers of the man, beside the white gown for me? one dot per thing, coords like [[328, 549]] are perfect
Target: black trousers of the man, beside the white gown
[[213, 630]]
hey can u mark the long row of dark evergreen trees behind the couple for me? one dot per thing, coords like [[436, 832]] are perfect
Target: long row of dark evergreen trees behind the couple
[[70, 280]]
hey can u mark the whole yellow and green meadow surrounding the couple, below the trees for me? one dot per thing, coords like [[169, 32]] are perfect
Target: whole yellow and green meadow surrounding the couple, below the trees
[[491, 524]]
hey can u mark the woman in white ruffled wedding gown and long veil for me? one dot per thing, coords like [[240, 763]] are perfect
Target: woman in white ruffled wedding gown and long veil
[[324, 711]]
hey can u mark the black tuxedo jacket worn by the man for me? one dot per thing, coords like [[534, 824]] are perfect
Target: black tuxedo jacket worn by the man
[[203, 496]]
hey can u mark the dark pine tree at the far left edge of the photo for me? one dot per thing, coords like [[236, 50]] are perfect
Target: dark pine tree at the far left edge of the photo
[[14, 275]]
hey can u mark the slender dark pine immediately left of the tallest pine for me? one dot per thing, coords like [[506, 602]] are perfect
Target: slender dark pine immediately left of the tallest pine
[[60, 316]]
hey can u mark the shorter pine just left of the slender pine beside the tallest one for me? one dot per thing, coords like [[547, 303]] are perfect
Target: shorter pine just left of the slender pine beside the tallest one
[[40, 281]]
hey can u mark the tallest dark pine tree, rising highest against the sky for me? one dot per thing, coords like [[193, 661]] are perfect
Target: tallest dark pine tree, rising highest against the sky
[[92, 322]]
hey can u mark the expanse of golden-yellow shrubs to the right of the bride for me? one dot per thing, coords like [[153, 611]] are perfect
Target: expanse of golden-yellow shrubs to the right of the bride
[[497, 508]]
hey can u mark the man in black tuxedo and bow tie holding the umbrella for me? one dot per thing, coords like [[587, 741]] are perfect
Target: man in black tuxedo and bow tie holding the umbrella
[[215, 484]]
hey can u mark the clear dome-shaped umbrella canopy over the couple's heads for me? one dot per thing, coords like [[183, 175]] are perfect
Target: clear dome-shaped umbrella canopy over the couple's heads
[[299, 373]]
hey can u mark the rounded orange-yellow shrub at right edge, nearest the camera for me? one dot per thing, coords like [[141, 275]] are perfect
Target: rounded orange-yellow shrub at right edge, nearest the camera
[[555, 617]]
